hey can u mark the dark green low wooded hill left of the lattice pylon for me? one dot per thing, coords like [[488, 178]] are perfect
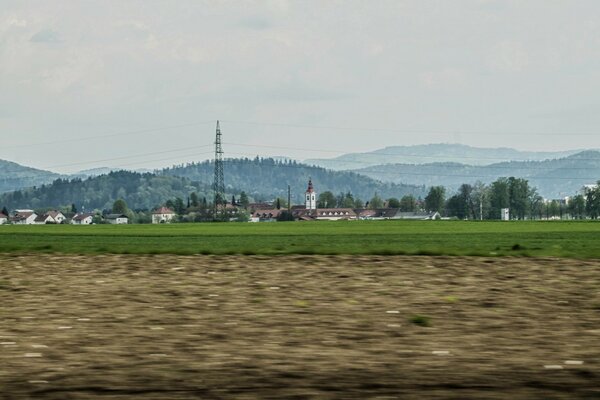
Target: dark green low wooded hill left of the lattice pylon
[[140, 191]]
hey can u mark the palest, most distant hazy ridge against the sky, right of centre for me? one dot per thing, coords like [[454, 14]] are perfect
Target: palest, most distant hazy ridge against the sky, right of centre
[[430, 153]]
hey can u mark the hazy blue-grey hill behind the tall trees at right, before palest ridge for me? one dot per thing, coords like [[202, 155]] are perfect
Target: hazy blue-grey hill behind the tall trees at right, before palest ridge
[[554, 178]]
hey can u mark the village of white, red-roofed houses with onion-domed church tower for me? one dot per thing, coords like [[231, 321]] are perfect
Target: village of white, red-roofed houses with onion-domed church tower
[[252, 212]]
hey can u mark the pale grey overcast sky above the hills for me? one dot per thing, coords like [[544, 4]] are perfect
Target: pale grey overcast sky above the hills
[[141, 83]]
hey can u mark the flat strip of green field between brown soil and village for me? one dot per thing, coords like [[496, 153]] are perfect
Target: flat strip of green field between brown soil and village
[[561, 239]]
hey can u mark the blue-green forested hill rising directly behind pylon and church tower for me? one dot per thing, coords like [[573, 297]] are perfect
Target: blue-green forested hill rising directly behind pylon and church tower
[[265, 179]]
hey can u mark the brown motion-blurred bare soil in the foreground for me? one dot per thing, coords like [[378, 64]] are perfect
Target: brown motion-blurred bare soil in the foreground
[[177, 327]]
